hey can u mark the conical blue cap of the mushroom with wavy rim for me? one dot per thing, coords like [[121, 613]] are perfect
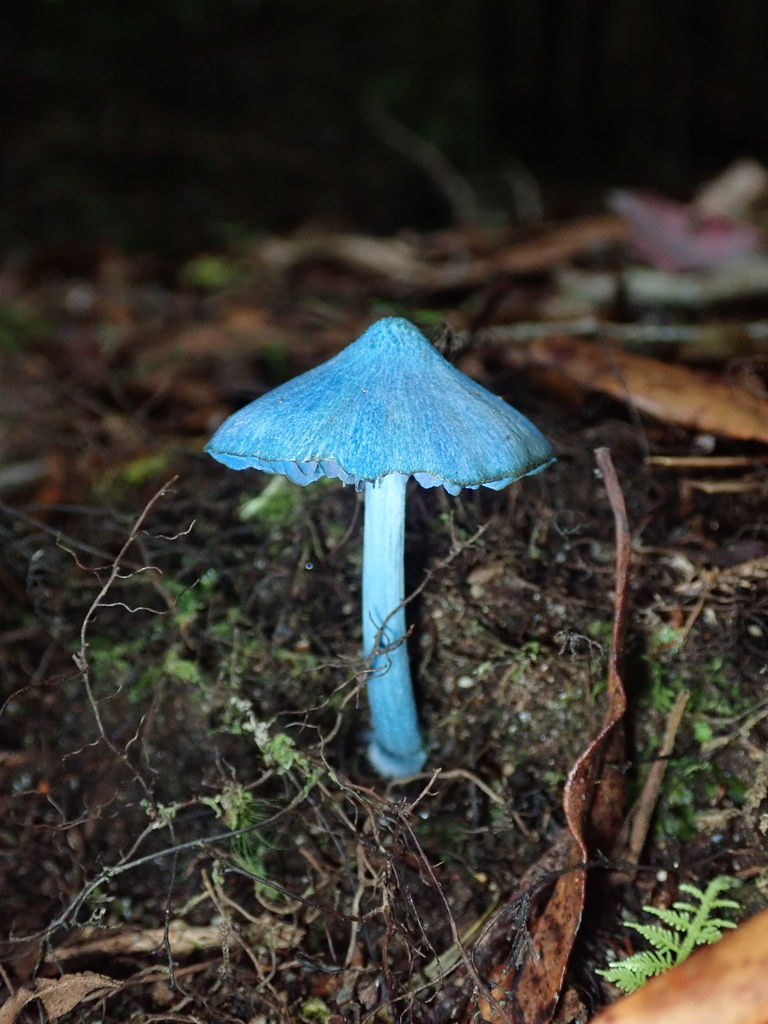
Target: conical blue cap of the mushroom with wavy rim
[[389, 403]]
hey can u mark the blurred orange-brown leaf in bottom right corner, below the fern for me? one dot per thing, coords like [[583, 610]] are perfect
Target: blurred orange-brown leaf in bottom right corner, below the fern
[[726, 984]]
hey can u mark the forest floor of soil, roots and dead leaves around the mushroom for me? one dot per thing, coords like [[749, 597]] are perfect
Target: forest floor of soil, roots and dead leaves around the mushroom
[[190, 830]]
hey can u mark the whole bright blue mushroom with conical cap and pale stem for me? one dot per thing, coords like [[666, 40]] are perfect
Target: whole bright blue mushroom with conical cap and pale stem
[[387, 408]]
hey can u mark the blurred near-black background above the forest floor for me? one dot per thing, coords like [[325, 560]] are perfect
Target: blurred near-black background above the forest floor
[[178, 124]]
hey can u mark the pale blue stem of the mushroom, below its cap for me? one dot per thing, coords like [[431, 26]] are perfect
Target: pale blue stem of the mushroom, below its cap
[[396, 748]]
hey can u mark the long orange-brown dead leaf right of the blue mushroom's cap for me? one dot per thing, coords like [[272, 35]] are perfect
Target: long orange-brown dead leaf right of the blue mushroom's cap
[[691, 398]]
